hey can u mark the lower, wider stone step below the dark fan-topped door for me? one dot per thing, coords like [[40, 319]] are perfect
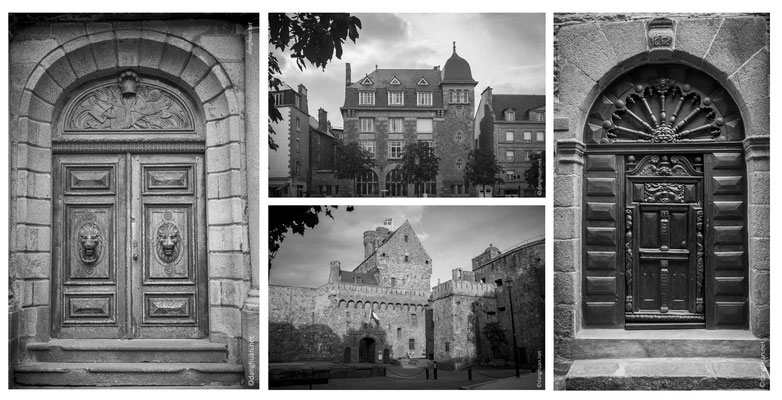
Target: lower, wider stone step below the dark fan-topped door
[[667, 374]]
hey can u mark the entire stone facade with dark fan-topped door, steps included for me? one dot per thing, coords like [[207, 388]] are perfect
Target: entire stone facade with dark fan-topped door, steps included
[[661, 202]]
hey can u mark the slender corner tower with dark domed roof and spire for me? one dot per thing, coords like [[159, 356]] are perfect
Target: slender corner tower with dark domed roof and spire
[[454, 138]]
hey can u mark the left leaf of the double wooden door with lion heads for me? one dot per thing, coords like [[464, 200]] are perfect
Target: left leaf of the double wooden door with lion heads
[[89, 218]]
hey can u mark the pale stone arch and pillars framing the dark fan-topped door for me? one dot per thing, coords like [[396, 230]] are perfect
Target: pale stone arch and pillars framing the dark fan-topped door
[[588, 56]]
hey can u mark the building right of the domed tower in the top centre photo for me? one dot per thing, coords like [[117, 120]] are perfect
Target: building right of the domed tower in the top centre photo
[[512, 127]]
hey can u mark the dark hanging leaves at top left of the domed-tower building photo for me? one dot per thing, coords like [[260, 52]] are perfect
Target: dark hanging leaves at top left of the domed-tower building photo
[[317, 37]]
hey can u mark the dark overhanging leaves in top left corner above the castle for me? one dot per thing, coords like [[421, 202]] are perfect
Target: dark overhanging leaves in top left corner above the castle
[[296, 219]]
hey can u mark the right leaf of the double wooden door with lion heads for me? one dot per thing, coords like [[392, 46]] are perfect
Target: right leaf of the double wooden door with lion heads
[[168, 286]]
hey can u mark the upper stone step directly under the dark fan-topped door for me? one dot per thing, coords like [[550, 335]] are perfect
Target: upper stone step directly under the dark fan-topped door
[[610, 343]]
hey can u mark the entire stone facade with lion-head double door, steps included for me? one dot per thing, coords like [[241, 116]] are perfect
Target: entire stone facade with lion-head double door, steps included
[[133, 147]]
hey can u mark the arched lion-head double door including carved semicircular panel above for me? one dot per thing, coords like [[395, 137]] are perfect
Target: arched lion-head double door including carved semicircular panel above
[[129, 223]]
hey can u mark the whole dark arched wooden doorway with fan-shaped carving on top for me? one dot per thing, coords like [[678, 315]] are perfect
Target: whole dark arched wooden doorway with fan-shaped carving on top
[[664, 204]]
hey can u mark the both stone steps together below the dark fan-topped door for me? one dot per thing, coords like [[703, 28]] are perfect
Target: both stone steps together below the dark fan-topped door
[[667, 359]]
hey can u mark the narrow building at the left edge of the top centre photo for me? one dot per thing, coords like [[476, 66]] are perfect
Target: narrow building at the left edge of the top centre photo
[[289, 164]]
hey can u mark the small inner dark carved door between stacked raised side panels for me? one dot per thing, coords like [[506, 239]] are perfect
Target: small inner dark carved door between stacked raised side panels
[[664, 242]]
